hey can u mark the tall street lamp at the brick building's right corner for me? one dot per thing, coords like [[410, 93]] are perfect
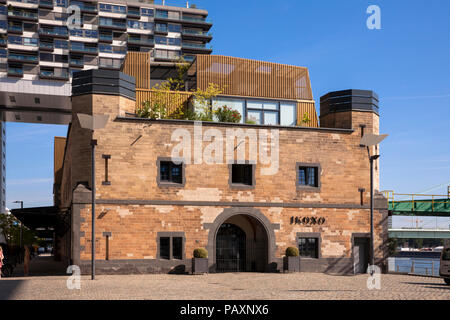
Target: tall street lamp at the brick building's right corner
[[370, 140]]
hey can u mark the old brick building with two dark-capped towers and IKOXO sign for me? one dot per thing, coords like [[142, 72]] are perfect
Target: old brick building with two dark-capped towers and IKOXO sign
[[153, 210]]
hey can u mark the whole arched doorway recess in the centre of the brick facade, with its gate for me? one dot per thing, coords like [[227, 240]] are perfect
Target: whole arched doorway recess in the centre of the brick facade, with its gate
[[241, 245]]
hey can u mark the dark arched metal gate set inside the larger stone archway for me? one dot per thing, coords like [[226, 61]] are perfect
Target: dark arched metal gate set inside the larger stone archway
[[230, 249]]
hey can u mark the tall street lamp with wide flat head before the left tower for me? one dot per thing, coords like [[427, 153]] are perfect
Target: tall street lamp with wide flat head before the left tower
[[93, 123]]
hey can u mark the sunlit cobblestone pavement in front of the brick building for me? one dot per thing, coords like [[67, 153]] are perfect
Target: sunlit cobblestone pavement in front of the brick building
[[243, 286]]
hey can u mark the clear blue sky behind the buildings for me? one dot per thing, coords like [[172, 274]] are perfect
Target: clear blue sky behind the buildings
[[406, 62]]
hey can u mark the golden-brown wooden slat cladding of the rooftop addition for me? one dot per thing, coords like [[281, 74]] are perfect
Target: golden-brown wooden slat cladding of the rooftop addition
[[237, 78]]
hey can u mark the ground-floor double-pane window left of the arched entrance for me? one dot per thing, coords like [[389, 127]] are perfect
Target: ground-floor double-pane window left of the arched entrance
[[171, 245]]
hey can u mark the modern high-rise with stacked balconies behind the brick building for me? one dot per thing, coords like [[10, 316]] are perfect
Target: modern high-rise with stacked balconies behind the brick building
[[42, 43]]
